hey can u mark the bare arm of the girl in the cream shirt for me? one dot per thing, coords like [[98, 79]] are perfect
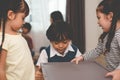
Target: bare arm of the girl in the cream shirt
[[3, 56]]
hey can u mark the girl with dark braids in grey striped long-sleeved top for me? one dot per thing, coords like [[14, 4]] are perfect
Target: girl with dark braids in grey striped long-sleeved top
[[108, 14]]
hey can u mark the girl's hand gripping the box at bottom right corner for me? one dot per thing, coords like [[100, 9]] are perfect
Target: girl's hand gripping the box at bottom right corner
[[115, 74]]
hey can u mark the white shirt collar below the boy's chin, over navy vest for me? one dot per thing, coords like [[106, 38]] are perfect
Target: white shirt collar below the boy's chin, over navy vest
[[53, 52]]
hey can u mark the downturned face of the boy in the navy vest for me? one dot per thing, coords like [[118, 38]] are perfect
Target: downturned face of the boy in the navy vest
[[60, 46]]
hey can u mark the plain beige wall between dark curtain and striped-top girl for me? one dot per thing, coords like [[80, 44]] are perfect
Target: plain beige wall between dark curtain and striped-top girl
[[93, 31]]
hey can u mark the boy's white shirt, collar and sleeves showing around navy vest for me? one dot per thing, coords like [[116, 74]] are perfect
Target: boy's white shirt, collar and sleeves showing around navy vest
[[43, 58]]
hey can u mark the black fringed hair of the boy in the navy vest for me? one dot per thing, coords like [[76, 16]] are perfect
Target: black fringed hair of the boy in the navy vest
[[59, 31]]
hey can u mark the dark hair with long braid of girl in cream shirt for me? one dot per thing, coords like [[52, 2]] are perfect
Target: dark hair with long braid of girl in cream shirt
[[14, 5]]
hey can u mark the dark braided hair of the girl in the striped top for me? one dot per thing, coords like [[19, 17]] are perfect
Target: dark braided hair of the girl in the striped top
[[107, 6]]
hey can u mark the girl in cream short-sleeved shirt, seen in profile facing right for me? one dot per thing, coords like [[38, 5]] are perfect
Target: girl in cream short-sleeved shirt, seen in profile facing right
[[15, 57]]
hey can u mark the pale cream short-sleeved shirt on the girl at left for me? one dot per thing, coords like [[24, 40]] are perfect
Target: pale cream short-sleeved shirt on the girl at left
[[19, 63]]
